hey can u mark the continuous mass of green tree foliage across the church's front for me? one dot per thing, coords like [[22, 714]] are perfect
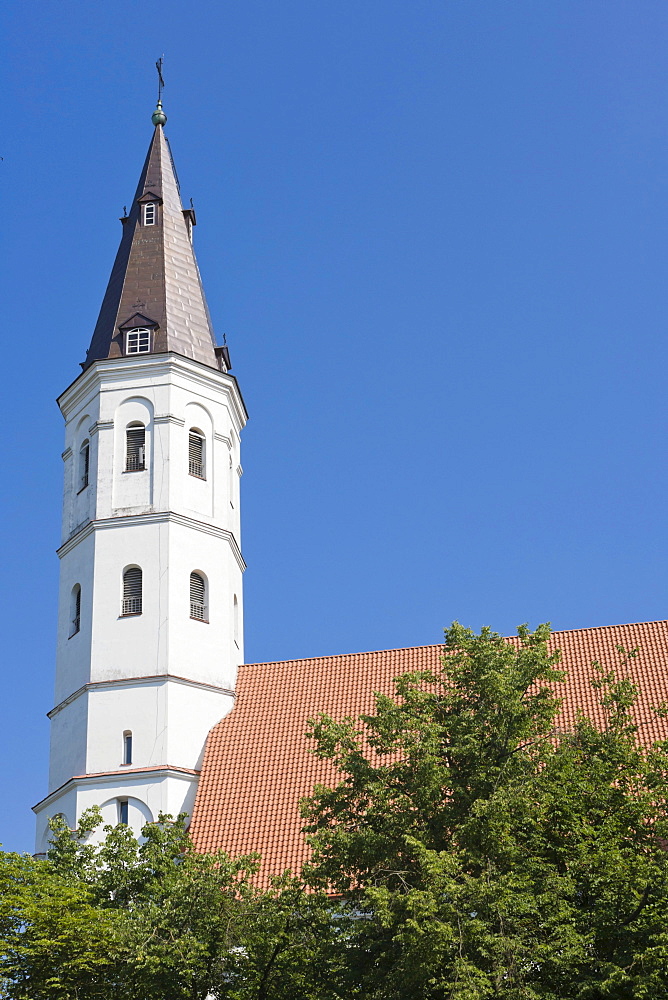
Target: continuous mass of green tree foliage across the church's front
[[475, 846]]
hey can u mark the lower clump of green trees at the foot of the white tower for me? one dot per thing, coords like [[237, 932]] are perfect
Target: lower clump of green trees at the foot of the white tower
[[151, 918]]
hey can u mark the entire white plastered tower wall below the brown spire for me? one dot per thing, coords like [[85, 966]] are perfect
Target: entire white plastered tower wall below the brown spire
[[161, 675]]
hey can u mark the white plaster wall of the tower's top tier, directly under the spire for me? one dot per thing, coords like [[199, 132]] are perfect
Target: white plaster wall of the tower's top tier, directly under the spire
[[167, 392]]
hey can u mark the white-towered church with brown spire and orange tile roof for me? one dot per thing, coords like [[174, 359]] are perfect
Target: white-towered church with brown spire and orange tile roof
[[154, 709]]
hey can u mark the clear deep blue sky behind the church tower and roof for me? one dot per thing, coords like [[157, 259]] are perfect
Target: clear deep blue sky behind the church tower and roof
[[435, 236]]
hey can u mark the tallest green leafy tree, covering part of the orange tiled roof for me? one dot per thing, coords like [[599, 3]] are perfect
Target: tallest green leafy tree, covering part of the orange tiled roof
[[484, 852]]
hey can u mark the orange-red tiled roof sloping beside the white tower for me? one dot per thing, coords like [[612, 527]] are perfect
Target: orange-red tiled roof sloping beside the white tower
[[257, 763]]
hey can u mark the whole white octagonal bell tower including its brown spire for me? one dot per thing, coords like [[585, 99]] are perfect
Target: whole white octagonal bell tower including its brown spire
[[150, 609]]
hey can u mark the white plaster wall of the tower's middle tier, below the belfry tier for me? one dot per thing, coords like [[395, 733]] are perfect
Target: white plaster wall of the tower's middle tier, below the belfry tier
[[163, 639]]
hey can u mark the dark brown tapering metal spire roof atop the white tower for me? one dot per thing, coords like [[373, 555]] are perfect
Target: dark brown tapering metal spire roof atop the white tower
[[155, 281]]
